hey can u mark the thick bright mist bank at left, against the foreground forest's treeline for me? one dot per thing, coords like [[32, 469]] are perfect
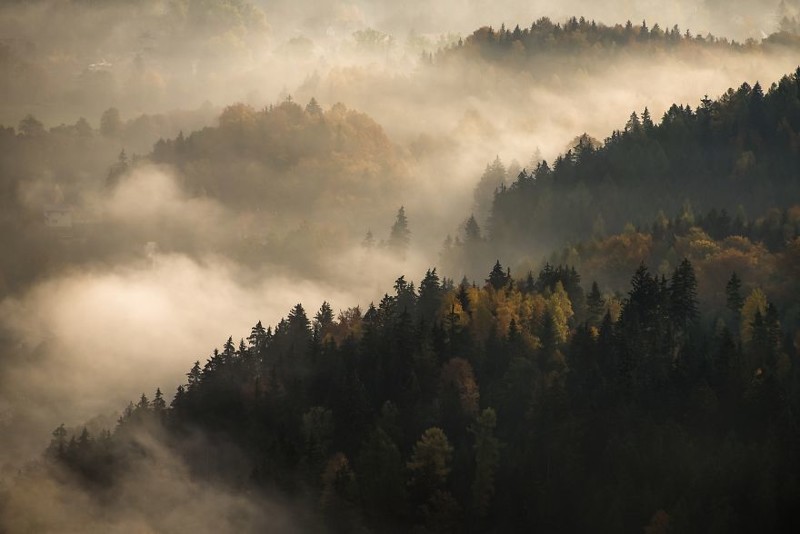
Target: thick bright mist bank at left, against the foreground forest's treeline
[[88, 340]]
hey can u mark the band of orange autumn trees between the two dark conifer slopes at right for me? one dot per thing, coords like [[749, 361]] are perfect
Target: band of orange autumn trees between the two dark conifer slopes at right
[[764, 249]]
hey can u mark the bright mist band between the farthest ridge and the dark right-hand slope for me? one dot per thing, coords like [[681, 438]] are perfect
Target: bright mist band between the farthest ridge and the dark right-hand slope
[[457, 117]]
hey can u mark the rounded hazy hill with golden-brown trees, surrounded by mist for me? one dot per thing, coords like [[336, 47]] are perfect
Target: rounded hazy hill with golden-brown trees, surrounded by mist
[[288, 156]]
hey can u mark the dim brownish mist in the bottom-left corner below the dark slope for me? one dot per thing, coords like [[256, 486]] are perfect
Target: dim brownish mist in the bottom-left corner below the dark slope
[[157, 494]]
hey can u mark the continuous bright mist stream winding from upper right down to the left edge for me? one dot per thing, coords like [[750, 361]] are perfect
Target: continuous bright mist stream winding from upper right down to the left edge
[[82, 335]]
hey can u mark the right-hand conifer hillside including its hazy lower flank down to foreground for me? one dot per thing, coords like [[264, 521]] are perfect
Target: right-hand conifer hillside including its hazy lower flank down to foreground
[[729, 166]]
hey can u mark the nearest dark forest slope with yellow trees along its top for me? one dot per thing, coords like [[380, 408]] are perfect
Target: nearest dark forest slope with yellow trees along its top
[[517, 404]]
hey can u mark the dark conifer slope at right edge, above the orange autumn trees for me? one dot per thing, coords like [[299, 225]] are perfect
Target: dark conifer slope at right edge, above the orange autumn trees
[[739, 153]]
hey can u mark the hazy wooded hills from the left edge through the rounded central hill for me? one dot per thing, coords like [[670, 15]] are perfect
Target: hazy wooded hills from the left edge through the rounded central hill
[[265, 212]]
